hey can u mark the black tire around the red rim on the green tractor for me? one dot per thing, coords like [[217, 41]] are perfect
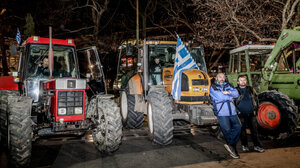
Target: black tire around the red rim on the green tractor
[[288, 115]]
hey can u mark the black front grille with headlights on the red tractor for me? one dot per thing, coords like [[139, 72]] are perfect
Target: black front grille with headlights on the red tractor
[[70, 100]]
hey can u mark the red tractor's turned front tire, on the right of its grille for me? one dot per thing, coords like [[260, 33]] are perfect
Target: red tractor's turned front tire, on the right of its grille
[[107, 133]]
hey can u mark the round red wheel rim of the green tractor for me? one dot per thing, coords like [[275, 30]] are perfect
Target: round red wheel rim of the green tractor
[[268, 115]]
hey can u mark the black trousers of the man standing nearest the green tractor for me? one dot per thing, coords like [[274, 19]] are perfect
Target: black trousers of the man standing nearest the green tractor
[[251, 123]]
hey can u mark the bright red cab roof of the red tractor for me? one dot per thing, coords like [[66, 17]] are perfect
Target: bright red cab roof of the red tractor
[[41, 40]]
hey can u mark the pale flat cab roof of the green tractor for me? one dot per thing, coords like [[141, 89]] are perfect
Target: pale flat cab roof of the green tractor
[[253, 49]]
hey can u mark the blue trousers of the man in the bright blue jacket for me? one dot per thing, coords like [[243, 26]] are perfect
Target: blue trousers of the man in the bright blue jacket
[[231, 128]]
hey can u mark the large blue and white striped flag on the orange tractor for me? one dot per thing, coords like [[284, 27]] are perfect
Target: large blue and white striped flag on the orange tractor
[[183, 61]]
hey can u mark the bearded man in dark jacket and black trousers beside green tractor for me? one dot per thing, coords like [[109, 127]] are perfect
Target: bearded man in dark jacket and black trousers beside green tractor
[[247, 105]]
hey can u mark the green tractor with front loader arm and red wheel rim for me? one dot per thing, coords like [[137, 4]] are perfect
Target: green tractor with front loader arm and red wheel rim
[[274, 72]]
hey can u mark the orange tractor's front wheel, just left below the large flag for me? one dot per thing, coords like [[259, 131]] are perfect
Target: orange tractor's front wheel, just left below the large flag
[[160, 119]]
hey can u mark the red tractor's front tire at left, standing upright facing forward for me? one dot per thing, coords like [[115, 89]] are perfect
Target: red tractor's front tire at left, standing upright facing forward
[[20, 131]]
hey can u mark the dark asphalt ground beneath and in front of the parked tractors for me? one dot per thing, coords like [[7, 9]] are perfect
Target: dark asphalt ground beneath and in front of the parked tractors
[[190, 146]]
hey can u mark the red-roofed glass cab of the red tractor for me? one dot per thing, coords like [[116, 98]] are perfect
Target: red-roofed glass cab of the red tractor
[[35, 64]]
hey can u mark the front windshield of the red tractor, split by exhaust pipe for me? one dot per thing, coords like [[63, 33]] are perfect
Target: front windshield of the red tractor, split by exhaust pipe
[[63, 57]]
